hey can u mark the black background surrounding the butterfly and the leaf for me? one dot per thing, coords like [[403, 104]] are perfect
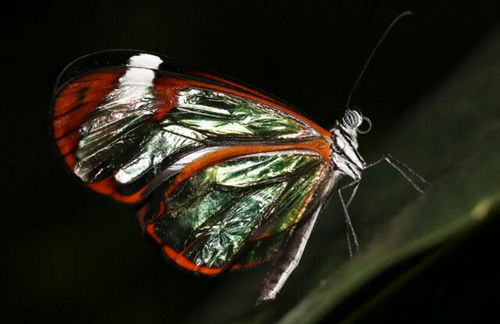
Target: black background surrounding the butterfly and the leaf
[[71, 255]]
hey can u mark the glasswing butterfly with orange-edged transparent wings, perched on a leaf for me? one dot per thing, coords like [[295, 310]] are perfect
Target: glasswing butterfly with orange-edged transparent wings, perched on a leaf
[[224, 177]]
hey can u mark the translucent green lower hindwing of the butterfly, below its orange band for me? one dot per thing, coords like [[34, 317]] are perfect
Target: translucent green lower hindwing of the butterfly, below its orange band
[[211, 218]]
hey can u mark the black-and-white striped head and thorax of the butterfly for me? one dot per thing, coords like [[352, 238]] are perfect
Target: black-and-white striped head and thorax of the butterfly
[[345, 156]]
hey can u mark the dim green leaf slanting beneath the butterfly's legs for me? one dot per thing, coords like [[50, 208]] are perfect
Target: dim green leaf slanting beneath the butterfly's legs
[[452, 138]]
